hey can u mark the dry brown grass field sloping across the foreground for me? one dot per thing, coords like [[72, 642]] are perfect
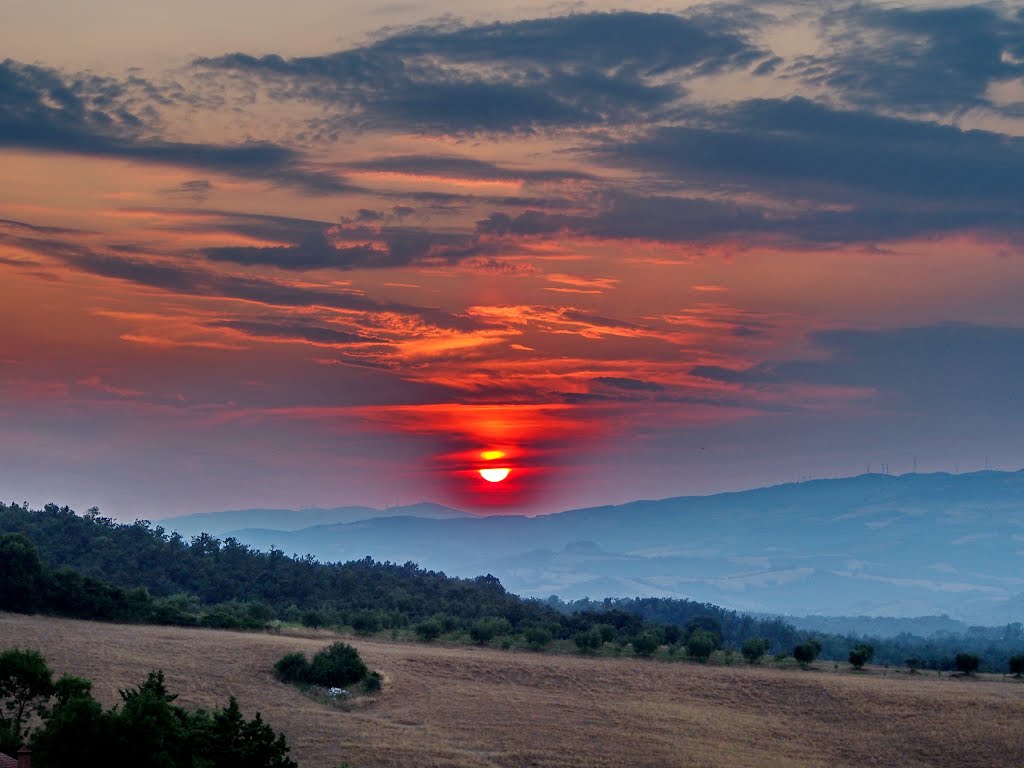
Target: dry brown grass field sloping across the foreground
[[475, 708]]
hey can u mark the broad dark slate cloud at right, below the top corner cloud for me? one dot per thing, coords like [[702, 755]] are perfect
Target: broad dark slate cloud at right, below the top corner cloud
[[894, 178]]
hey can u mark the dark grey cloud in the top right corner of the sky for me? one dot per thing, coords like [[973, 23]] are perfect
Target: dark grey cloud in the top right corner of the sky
[[919, 60]]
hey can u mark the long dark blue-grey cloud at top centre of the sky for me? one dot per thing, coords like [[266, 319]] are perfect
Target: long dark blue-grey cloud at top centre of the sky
[[580, 70]]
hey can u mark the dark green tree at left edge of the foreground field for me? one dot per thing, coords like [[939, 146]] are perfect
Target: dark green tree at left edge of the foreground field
[[26, 686]]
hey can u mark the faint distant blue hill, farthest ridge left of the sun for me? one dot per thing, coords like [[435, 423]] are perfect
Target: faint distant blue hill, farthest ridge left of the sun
[[220, 524]]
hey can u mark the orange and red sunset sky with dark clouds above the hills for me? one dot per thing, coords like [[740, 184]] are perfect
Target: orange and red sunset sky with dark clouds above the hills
[[327, 252]]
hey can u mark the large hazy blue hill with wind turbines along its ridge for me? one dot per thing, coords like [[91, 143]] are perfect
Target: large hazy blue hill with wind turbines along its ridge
[[873, 545]]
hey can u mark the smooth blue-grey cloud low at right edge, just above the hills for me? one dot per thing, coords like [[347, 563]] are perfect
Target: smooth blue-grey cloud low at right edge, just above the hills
[[957, 367]]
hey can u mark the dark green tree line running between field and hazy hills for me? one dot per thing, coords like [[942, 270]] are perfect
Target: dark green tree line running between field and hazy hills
[[54, 561]]
